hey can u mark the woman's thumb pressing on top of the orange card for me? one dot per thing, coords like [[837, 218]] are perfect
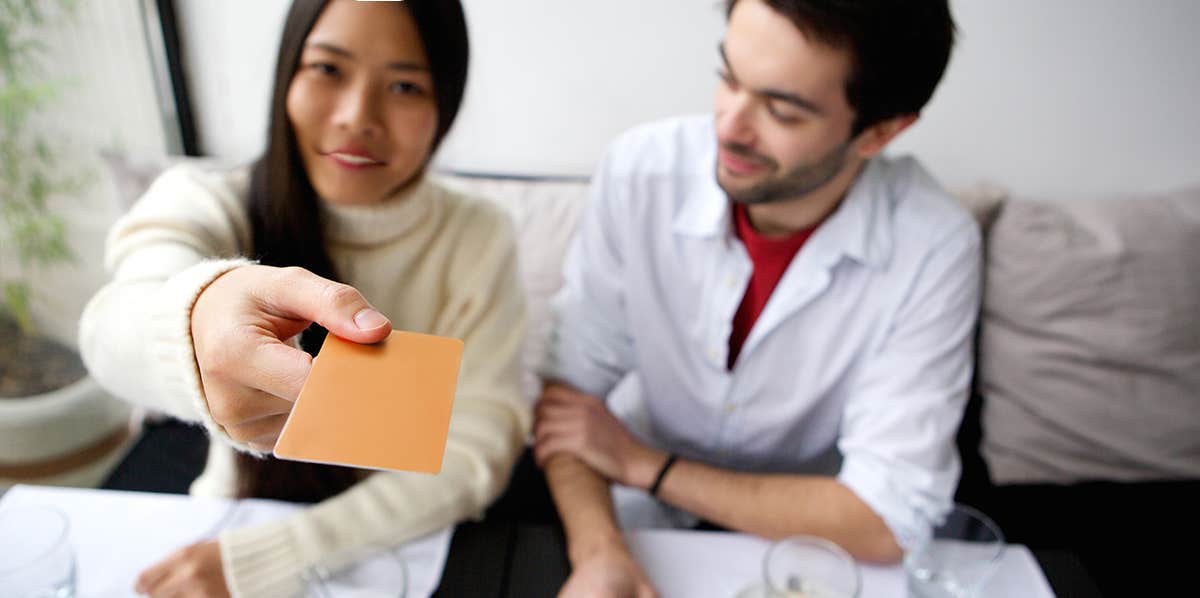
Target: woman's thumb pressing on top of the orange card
[[341, 309]]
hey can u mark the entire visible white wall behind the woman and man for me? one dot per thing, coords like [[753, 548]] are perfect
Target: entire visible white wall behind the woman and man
[[1065, 99]]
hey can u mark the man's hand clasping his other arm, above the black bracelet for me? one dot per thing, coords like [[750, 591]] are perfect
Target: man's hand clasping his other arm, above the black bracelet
[[568, 421]]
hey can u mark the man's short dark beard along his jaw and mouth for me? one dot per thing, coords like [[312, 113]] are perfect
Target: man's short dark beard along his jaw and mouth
[[796, 183]]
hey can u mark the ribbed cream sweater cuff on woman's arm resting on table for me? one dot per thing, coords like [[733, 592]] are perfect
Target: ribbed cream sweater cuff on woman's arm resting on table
[[262, 561]]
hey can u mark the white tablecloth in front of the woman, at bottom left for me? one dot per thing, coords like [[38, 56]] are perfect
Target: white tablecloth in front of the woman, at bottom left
[[118, 535]]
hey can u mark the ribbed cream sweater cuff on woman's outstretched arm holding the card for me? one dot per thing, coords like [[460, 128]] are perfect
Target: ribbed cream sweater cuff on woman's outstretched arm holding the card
[[172, 338]]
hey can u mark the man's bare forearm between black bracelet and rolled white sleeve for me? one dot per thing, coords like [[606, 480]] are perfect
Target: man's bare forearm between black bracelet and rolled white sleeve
[[776, 506]]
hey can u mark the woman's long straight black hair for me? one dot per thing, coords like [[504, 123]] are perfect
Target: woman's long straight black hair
[[285, 216]]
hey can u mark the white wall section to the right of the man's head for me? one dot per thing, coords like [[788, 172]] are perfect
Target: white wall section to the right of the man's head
[[1069, 99]]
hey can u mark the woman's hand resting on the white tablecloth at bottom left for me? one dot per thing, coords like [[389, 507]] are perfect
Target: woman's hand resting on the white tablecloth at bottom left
[[190, 572]]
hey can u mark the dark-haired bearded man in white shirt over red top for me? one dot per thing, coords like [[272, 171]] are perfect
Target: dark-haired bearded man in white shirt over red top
[[788, 344]]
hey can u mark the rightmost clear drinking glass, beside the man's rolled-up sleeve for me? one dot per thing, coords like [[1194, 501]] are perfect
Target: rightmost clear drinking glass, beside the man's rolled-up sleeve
[[958, 561]]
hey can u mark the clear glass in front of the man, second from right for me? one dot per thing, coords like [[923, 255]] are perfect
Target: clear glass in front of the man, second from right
[[811, 567]]
